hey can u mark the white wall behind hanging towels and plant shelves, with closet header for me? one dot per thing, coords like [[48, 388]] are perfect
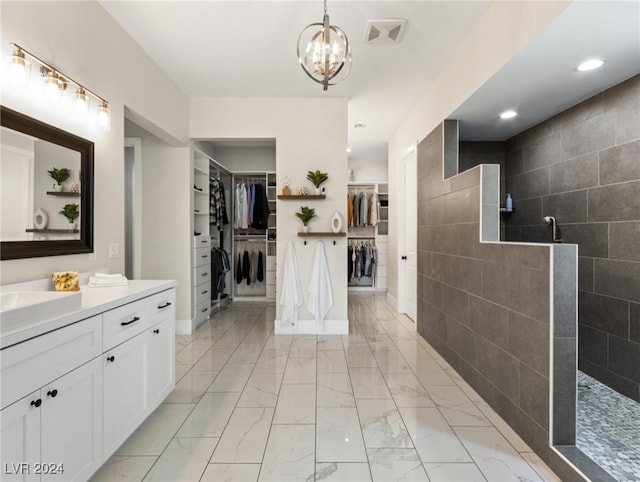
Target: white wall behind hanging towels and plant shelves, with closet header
[[297, 125]]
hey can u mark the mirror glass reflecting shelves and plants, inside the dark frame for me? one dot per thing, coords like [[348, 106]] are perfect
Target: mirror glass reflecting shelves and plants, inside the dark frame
[[40, 189]]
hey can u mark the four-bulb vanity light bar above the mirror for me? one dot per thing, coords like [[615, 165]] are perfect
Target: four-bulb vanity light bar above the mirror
[[56, 83]]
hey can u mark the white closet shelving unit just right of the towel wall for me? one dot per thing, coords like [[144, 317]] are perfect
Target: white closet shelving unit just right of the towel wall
[[374, 235]]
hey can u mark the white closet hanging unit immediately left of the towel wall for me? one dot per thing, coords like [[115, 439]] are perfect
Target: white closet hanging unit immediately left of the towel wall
[[263, 240]]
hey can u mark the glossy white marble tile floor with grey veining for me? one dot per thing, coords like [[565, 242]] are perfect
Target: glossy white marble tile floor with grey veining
[[378, 404]]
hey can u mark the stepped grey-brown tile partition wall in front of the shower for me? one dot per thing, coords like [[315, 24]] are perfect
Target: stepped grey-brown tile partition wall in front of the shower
[[485, 307]]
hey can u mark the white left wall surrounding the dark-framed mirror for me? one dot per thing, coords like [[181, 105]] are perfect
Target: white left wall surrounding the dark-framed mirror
[[83, 41]]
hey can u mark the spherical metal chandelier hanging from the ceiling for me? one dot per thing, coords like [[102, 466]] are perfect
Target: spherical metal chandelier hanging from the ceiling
[[323, 52]]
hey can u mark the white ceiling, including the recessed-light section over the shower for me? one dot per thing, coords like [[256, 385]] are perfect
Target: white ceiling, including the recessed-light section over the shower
[[243, 48]]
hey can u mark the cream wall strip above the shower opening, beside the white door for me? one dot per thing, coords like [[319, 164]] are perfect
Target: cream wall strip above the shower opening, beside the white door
[[501, 32]]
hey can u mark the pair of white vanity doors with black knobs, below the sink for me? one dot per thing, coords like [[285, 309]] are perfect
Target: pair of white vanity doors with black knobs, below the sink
[[55, 433]]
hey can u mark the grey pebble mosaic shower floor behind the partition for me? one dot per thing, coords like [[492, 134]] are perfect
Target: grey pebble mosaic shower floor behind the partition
[[608, 428]]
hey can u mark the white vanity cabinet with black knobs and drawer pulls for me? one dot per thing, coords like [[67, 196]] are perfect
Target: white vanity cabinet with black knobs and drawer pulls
[[73, 393]]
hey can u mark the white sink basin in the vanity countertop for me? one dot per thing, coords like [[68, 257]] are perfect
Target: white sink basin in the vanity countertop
[[21, 309]]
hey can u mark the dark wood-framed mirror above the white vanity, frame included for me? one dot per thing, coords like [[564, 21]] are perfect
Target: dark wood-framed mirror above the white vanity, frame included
[[33, 222]]
